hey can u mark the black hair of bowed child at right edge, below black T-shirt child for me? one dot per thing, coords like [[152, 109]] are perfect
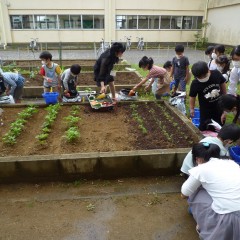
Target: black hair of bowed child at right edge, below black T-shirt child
[[229, 131]]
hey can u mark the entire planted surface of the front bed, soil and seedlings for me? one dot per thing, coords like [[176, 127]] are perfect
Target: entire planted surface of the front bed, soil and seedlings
[[71, 129]]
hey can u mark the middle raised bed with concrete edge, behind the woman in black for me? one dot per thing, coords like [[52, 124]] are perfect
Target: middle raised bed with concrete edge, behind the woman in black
[[33, 86]]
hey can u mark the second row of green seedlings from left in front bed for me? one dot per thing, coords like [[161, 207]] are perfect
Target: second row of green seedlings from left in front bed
[[52, 112]]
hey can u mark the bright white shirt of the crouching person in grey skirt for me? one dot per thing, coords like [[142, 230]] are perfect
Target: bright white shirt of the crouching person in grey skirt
[[221, 179]]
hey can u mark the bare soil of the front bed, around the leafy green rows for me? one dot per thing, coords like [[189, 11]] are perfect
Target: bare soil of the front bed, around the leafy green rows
[[100, 131]]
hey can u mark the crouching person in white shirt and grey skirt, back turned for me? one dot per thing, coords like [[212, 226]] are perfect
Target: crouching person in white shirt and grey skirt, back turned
[[213, 189]]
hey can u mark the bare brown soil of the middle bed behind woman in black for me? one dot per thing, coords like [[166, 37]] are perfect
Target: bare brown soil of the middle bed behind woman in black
[[87, 78]]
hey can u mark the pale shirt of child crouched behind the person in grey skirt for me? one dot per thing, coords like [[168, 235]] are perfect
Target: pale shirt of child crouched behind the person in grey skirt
[[187, 162]]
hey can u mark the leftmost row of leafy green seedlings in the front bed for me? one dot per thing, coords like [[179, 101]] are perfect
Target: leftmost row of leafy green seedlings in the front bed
[[10, 138]]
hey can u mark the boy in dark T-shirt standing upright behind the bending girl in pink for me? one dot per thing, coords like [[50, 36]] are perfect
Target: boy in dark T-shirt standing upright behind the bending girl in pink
[[180, 70]]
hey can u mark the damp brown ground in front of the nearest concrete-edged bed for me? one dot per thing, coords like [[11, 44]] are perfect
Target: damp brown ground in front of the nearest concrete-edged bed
[[122, 209]]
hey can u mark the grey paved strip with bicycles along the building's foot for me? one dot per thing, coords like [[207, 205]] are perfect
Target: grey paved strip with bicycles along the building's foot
[[133, 56]]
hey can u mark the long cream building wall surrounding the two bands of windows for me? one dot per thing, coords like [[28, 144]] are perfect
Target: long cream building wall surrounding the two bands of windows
[[109, 8]]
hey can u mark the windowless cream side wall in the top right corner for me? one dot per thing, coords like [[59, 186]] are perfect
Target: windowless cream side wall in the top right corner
[[224, 17]]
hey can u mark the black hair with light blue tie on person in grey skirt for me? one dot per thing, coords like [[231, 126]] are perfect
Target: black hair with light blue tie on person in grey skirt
[[205, 150]]
